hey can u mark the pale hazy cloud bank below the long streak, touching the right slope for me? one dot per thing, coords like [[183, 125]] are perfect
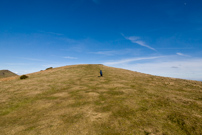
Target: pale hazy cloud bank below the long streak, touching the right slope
[[173, 68]]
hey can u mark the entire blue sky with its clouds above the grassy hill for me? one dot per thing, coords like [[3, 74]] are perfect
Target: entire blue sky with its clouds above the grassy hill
[[159, 37]]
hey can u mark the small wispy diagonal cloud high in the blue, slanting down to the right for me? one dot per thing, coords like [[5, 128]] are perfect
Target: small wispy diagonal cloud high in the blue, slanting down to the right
[[137, 40]]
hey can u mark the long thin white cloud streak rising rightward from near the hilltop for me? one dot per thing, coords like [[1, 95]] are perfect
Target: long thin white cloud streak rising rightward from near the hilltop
[[130, 60]]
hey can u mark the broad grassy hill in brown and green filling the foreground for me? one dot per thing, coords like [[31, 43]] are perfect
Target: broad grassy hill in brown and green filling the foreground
[[75, 100]]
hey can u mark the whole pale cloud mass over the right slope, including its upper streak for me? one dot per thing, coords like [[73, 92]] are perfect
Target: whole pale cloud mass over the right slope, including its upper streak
[[167, 66]]
